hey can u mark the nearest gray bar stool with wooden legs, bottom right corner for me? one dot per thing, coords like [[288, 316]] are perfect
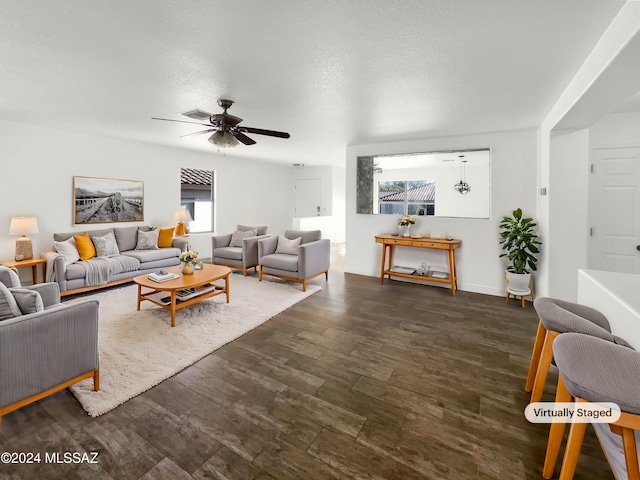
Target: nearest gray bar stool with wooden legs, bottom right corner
[[595, 370]]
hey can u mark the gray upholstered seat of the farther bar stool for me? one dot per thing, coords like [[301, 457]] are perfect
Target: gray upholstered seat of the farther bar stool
[[561, 316]]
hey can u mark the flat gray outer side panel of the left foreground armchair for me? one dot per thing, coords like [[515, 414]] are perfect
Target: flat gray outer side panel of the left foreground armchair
[[41, 350]]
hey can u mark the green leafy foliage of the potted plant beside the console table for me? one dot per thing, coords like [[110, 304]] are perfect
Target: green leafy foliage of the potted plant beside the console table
[[520, 240]]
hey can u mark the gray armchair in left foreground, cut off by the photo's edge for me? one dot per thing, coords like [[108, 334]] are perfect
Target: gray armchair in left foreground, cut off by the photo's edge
[[47, 350]]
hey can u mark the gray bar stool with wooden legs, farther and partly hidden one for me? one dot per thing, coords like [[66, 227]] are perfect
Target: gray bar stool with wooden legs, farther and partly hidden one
[[556, 317]]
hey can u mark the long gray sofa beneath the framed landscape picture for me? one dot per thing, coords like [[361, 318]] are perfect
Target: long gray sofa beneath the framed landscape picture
[[132, 258]]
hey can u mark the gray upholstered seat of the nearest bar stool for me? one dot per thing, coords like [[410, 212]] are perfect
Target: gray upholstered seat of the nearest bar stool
[[599, 371]]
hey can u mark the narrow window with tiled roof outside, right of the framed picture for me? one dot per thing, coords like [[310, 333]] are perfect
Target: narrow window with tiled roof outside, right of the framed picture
[[197, 197]]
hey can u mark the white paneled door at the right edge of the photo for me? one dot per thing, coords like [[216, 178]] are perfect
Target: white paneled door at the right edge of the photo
[[615, 210]]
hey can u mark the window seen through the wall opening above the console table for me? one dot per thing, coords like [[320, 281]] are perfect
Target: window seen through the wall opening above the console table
[[410, 197]]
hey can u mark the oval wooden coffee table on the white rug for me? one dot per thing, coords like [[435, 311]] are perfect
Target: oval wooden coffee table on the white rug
[[199, 279]]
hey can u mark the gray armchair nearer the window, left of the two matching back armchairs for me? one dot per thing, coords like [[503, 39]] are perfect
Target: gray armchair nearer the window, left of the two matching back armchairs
[[242, 258]]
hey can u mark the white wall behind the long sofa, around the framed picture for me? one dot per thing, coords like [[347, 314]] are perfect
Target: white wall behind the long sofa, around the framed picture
[[38, 165]]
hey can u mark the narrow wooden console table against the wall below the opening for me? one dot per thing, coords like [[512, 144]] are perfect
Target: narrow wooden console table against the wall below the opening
[[389, 242]]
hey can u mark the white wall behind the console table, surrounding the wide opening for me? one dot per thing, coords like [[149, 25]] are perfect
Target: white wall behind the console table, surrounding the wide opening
[[513, 185]]
